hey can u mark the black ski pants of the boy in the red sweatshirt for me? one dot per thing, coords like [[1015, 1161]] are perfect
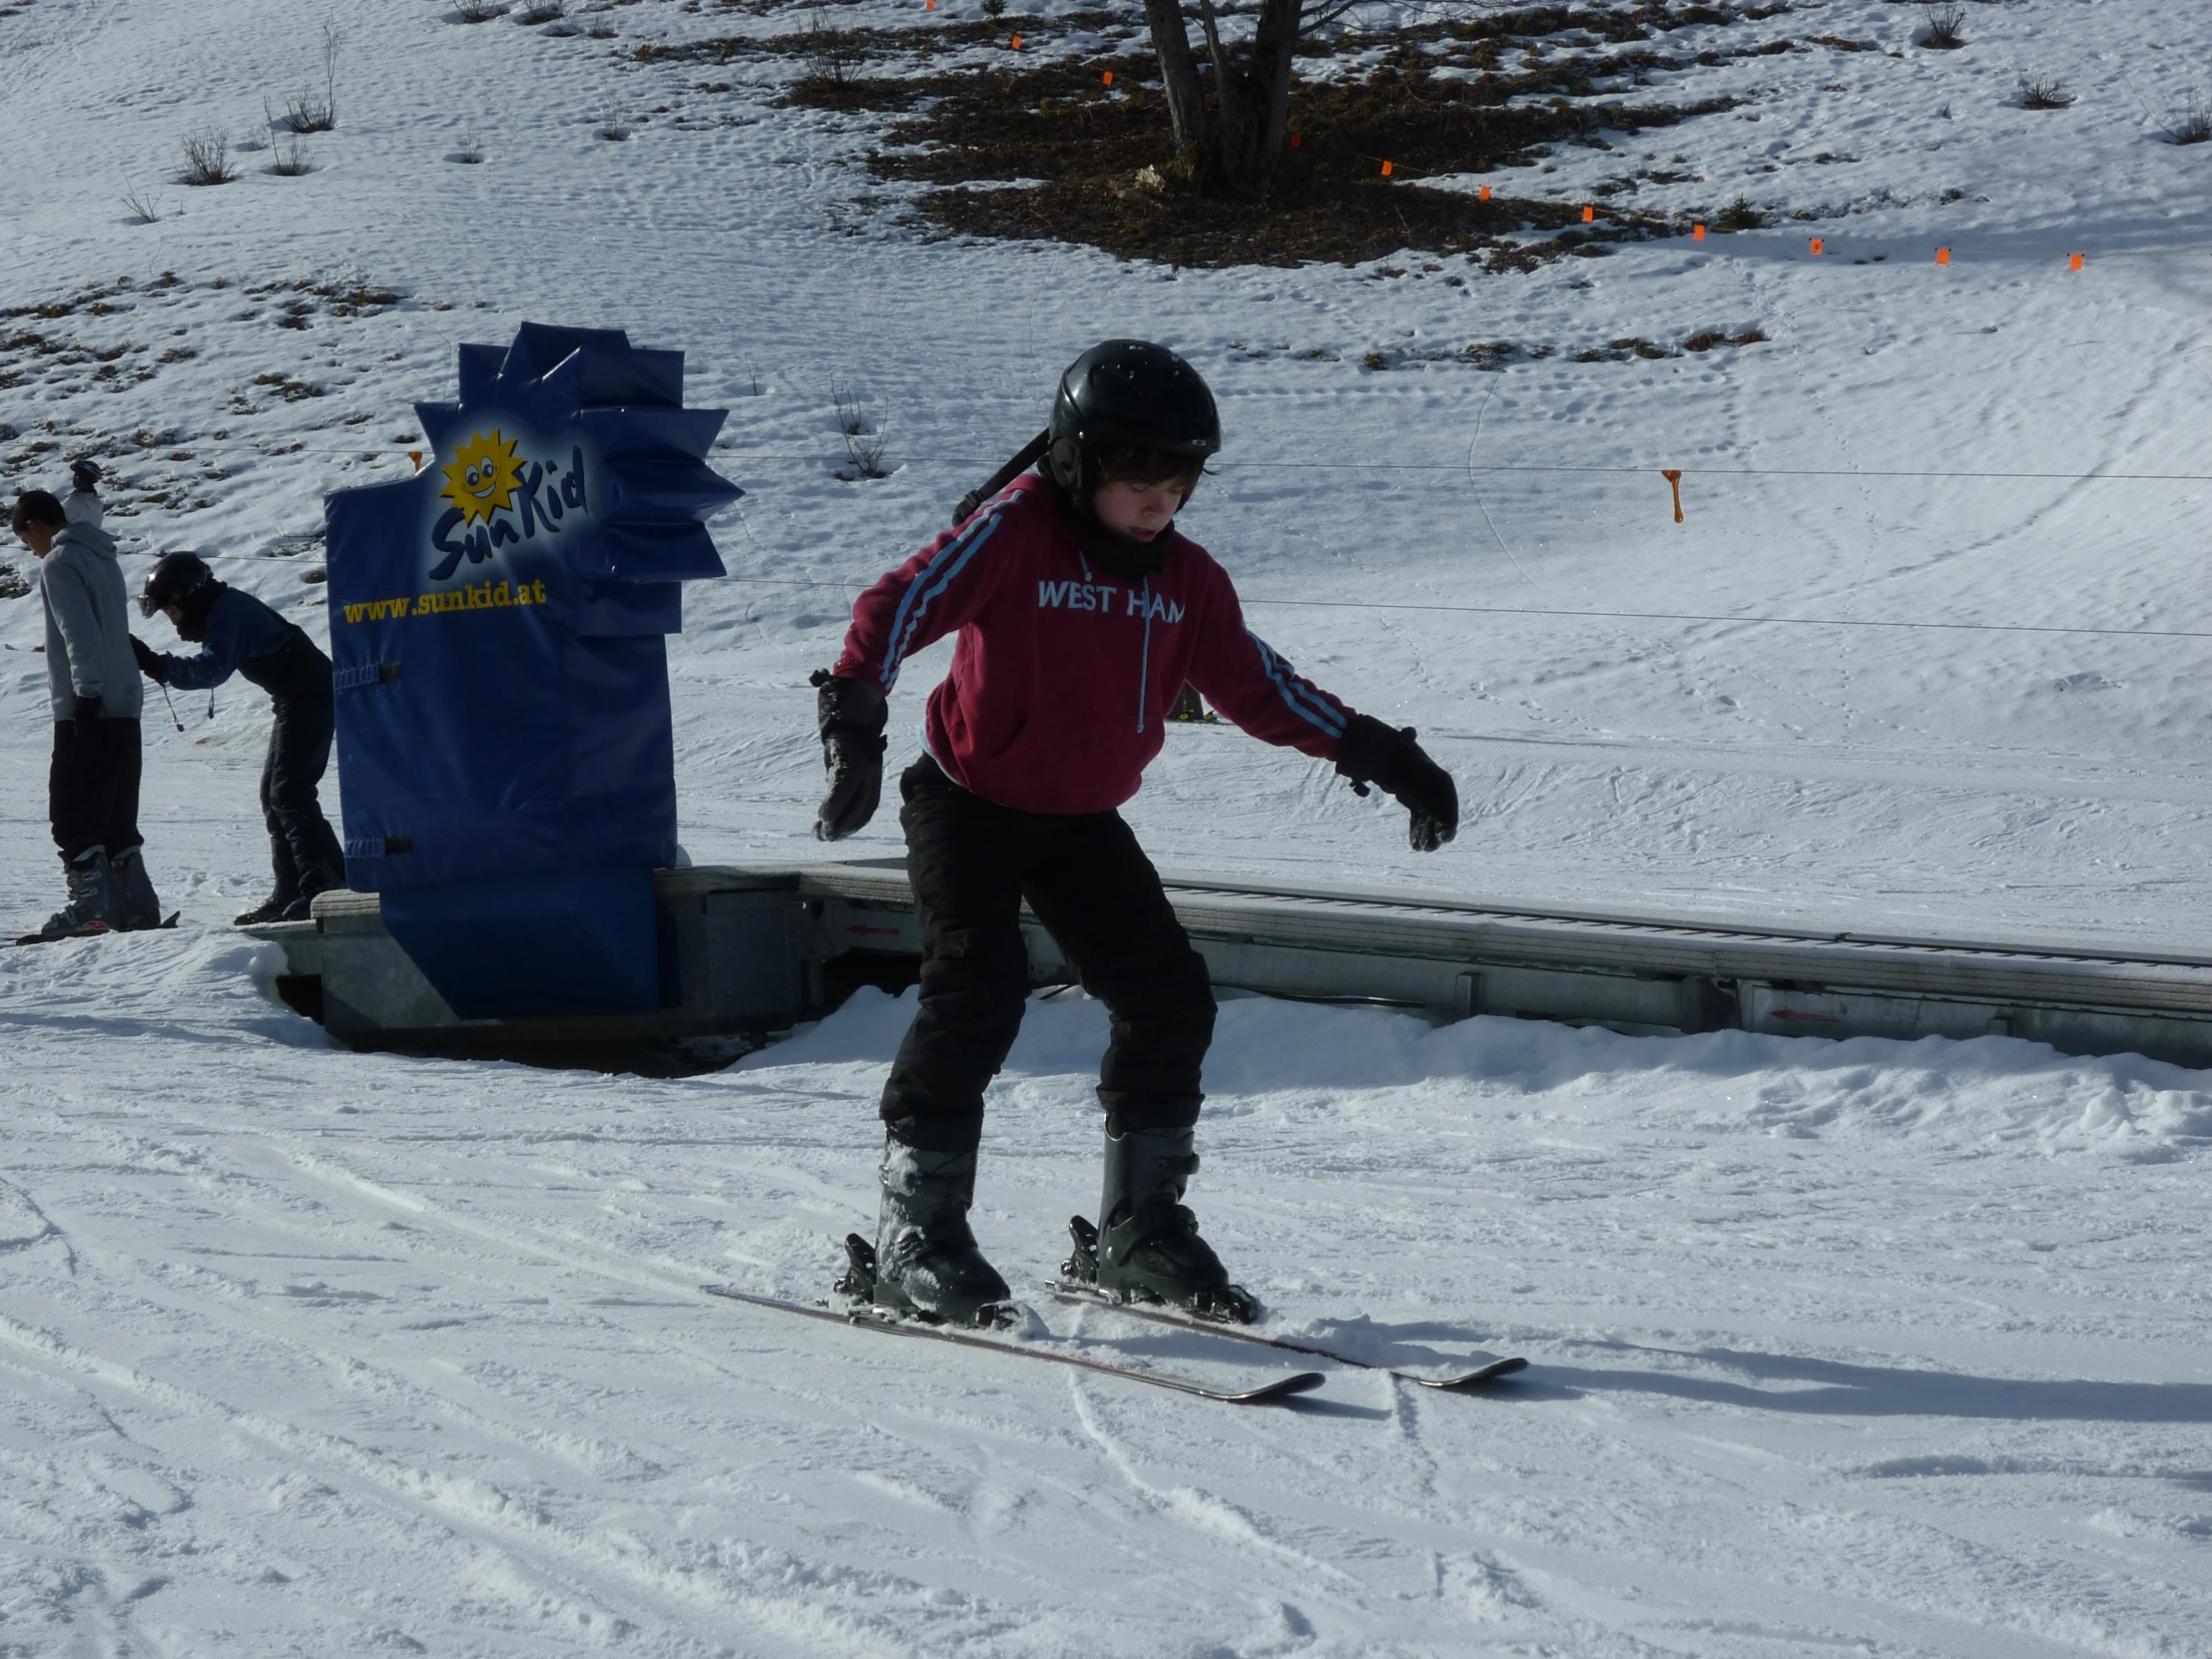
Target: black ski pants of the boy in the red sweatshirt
[[1087, 879]]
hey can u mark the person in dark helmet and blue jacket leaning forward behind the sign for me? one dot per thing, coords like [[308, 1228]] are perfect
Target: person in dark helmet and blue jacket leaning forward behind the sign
[[238, 634]]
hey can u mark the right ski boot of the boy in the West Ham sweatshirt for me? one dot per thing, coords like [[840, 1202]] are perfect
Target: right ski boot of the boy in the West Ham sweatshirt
[[1149, 1249]]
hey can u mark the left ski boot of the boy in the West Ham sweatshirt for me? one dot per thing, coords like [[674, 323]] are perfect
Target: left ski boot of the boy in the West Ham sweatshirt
[[926, 1260]]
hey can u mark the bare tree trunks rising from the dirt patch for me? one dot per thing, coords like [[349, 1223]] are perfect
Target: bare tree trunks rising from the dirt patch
[[1233, 140]]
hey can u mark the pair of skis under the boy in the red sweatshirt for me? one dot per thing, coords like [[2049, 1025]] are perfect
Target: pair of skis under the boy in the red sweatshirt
[[862, 1313]]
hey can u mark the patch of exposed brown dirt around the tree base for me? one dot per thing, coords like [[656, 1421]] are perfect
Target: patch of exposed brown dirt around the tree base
[[1045, 147]]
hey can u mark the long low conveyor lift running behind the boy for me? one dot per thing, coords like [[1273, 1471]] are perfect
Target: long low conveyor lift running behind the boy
[[751, 952]]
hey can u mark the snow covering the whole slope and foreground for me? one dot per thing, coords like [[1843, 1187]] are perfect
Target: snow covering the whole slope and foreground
[[1872, 1348]]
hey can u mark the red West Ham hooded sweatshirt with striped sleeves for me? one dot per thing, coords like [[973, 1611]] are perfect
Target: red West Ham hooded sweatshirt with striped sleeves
[[1065, 674]]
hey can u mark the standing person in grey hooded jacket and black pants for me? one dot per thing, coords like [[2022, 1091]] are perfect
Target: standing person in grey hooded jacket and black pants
[[96, 693]]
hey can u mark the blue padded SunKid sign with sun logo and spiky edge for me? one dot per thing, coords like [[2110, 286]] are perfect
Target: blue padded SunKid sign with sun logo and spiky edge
[[497, 625]]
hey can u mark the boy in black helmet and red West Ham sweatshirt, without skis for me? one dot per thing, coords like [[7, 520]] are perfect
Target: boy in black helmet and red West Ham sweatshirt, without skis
[[1081, 616]]
